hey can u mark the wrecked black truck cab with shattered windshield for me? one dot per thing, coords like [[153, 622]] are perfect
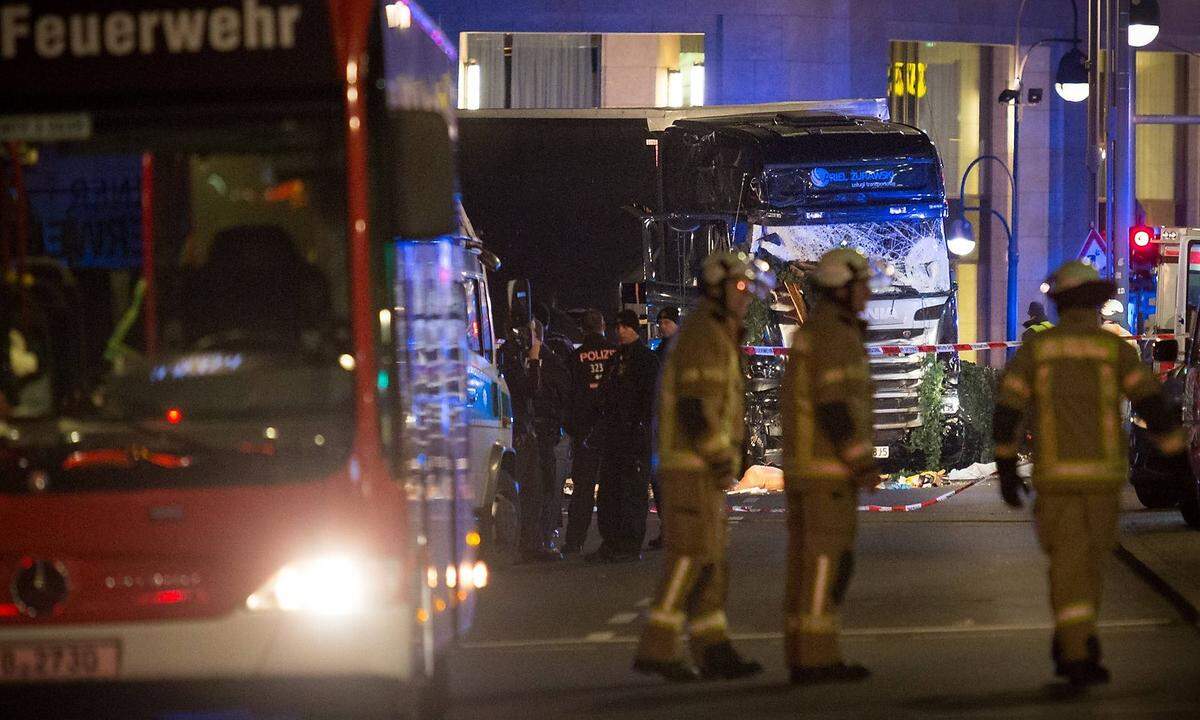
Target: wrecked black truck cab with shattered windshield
[[794, 185]]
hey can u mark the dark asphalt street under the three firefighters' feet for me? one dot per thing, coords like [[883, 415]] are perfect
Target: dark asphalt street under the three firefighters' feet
[[949, 608]]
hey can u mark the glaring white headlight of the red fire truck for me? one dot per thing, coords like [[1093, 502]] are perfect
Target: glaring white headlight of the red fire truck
[[331, 585]]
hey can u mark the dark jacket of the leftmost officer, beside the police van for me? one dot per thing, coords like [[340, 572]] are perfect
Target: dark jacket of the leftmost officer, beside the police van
[[541, 392]]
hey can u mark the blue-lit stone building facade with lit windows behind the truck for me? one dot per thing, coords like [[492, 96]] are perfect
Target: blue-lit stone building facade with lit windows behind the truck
[[943, 65]]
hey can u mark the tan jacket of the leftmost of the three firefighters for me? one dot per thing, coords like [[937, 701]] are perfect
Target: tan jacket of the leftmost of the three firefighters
[[701, 395]]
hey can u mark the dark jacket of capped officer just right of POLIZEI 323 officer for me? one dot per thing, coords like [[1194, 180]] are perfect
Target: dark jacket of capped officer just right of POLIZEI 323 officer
[[628, 400]]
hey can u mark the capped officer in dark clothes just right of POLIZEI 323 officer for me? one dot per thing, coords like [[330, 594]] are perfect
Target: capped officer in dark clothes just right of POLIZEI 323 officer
[[623, 436]]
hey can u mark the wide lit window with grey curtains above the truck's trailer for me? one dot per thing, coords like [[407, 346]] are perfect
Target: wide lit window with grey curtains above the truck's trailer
[[547, 70]]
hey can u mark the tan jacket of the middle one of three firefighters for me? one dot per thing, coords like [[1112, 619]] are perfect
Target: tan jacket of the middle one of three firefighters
[[826, 367]]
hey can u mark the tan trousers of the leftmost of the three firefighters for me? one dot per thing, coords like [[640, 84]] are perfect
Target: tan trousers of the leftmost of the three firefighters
[[692, 597]]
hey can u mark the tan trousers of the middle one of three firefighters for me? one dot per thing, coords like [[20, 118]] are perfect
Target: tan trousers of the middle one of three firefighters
[[821, 527]]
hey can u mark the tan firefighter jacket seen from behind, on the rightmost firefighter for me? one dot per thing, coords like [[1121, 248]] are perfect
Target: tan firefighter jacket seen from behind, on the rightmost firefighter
[[1069, 383]]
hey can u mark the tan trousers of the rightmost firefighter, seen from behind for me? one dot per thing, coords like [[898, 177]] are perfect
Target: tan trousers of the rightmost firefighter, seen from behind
[[1078, 532]]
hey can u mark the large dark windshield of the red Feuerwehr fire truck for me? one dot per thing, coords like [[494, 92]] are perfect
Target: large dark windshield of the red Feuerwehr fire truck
[[203, 275]]
